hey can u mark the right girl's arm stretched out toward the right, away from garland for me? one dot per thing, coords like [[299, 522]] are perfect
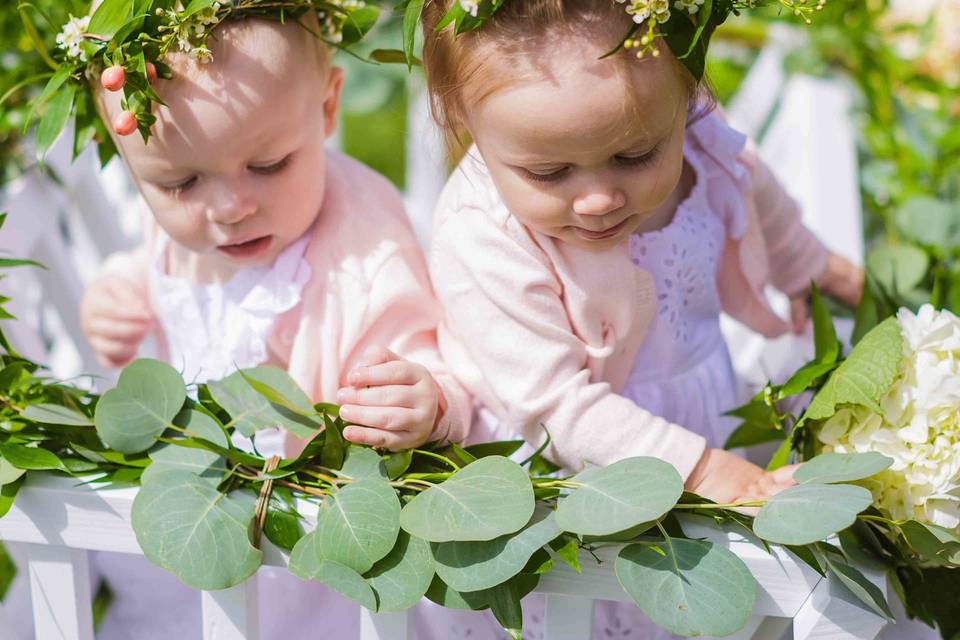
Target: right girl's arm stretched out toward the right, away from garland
[[796, 256]]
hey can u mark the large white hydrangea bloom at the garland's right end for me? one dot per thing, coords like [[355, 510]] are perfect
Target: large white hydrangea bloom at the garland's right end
[[920, 428]]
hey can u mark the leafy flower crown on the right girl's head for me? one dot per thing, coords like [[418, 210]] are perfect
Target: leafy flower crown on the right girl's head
[[685, 25]]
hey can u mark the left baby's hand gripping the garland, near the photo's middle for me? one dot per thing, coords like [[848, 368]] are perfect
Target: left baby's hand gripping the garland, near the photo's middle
[[396, 401]]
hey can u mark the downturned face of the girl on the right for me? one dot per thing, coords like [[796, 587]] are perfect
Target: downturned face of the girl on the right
[[567, 151]]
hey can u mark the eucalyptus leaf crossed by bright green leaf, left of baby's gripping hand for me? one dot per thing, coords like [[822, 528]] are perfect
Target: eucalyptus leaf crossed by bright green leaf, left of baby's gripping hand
[[252, 412]]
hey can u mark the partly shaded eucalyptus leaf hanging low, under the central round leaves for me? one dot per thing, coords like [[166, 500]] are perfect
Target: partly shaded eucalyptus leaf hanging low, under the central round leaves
[[401, 578]]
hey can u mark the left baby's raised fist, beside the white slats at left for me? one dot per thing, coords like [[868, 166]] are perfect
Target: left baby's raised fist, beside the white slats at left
[[115, 319]]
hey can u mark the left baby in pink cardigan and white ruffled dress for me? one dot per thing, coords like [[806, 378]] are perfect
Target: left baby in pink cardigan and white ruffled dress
[[266, 248]]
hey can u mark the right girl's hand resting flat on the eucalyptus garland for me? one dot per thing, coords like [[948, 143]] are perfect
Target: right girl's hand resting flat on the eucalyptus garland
[[726, 478]]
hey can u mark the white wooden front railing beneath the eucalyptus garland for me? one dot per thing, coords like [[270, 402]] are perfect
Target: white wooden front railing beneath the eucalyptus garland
[[55, 523]]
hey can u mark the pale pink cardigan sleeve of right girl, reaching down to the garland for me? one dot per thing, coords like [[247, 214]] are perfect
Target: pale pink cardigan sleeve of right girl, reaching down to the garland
[[507, 336]]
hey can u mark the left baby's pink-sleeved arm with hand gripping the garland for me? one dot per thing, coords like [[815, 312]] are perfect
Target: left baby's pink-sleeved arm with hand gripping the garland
[[395, 386]]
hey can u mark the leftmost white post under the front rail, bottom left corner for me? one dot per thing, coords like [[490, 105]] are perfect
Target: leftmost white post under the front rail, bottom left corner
[[60, 592]]
